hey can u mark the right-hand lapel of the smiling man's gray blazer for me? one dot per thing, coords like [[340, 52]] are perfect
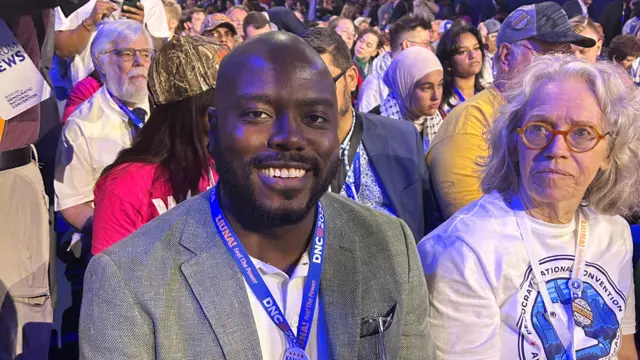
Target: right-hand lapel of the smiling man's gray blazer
[[340, 286]]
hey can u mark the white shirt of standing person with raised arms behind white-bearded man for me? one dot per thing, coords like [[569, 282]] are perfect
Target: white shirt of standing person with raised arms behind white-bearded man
[[155, 20]]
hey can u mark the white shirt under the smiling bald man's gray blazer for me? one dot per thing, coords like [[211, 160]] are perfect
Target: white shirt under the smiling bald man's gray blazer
[[287, 291]]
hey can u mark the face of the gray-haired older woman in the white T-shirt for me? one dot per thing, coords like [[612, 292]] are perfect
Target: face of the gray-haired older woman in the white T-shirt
[[555, 173]]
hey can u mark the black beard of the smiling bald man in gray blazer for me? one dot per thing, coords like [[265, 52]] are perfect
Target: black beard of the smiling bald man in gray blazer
[[236, 185]]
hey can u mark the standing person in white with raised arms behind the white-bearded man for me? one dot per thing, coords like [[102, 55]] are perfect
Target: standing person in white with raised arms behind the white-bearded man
[[75, 32]]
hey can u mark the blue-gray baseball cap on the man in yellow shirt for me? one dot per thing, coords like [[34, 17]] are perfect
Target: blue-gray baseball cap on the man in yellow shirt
[[545, 22]]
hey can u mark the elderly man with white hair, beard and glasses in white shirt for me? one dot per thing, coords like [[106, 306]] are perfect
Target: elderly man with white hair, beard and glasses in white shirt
[[107, 122]]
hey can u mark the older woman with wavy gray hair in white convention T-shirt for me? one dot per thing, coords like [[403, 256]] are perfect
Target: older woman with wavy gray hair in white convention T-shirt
[[540, 267]]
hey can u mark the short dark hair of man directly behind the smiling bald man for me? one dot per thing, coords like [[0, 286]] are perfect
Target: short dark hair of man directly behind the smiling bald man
[[326, 41]]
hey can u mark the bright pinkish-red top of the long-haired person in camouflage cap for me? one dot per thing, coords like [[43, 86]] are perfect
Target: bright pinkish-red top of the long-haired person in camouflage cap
[[127, 198]]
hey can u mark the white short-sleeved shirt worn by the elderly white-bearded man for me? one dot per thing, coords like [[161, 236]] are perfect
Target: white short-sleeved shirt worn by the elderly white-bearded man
[[90, 141]]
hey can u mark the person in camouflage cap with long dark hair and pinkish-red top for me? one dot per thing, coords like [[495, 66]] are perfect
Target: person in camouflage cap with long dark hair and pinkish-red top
[[168, 160]]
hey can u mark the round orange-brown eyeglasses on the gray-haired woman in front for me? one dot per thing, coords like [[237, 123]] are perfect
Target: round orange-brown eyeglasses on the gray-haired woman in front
[[579, 138]]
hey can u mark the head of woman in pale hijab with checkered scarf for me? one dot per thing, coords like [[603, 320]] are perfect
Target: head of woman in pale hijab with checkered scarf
[[414, 79]]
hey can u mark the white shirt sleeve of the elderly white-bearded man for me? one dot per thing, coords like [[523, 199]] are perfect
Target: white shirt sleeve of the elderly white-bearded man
[[74, 176]]
